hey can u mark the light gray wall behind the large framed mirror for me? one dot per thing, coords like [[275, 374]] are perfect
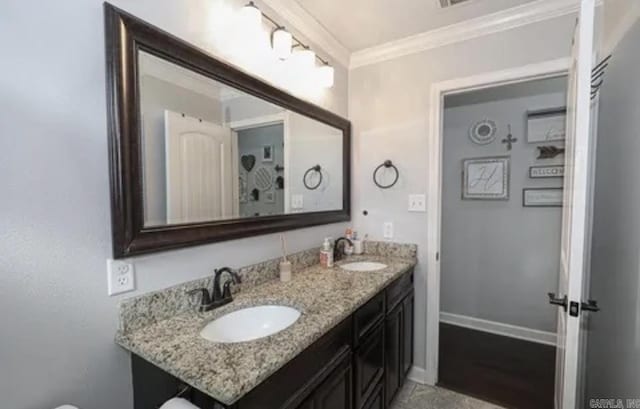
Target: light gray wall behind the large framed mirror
[[57, 321]]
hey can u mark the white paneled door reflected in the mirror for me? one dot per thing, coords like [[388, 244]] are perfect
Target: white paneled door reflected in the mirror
[[198, 169]]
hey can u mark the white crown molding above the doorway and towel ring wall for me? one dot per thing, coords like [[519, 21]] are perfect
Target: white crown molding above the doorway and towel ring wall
[[508, 19]]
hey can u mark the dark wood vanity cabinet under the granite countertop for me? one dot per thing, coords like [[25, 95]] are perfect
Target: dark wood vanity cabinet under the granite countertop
[[359, 364]]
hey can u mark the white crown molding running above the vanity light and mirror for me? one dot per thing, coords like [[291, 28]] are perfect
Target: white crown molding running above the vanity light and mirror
[[300, 19]]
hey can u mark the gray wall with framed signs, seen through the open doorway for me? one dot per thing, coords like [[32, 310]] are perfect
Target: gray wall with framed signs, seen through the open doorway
[[499, 259]]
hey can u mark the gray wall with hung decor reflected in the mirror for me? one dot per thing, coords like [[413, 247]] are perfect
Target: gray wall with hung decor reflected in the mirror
[[250, 142]]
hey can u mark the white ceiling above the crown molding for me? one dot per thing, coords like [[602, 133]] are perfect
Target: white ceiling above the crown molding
[[359, 24]]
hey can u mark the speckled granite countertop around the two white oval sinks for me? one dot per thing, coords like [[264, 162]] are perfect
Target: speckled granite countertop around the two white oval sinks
[[227, 372]]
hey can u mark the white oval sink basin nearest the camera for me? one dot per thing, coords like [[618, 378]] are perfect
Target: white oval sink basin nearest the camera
[[251, 323]]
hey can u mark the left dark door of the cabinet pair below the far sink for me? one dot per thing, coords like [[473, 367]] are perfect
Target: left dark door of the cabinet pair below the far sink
[[393, 352]]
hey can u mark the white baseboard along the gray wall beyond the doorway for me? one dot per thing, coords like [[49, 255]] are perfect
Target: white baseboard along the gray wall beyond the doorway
[[498, 328]]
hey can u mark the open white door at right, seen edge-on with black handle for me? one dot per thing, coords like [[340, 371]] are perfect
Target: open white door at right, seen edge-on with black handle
[[576, 209]]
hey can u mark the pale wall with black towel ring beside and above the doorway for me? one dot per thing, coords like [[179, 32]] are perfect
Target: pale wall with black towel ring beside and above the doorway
[[388, 105]]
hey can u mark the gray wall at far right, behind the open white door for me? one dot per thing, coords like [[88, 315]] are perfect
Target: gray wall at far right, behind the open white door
[[613, 348]]
